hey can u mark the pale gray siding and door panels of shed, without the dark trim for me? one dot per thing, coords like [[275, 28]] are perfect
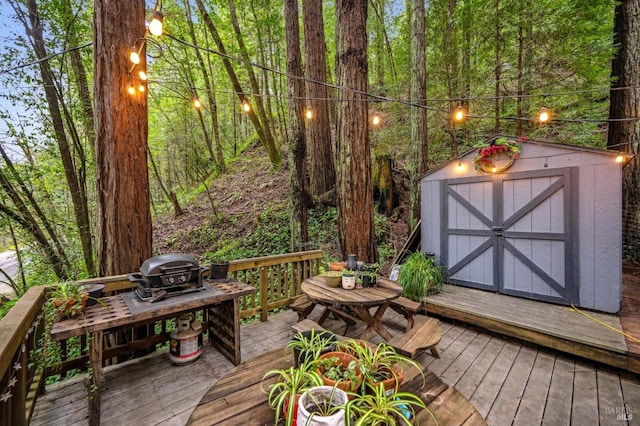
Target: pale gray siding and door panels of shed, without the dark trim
[[594, 220]]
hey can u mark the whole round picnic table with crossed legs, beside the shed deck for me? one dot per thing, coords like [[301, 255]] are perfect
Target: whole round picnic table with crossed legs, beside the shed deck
[[343, 302]]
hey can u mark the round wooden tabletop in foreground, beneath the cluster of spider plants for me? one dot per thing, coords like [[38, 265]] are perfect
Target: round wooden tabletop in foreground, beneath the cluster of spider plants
[[240, 398]]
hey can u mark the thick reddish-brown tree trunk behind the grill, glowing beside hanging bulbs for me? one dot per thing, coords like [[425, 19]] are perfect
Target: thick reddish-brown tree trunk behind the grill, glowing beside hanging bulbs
[[125, 232]]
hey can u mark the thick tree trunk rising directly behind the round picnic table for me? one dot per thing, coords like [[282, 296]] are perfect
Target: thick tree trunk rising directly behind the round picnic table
[[355, 189]]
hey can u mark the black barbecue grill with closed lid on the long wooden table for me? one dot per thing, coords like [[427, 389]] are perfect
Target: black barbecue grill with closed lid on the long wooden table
[[168, 275]]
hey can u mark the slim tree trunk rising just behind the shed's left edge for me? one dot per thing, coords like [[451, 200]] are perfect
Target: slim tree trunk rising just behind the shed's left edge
[[419, 144]]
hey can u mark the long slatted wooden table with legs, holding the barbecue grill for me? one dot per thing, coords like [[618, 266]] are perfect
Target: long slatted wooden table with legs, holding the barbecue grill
[[220, 298]]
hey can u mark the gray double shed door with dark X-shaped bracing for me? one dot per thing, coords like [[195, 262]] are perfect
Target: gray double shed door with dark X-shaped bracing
[[511, 233]]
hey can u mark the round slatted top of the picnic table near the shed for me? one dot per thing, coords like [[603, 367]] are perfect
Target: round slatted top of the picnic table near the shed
[[316, 288]]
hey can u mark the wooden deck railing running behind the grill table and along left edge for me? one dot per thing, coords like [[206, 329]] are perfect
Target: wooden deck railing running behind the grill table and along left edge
[[277, 281]]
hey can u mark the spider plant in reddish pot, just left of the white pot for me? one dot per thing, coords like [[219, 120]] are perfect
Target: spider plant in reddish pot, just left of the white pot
[[290, 383]]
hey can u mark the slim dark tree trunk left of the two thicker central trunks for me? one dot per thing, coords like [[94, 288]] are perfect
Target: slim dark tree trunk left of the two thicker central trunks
[[297, 144]]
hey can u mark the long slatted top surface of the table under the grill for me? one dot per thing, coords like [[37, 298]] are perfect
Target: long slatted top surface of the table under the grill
[[112, 311]]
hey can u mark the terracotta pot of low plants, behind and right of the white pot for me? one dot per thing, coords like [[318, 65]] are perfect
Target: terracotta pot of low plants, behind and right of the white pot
[[340, 369]]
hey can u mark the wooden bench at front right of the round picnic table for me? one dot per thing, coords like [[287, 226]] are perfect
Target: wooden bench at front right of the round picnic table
[[425, 334]]
